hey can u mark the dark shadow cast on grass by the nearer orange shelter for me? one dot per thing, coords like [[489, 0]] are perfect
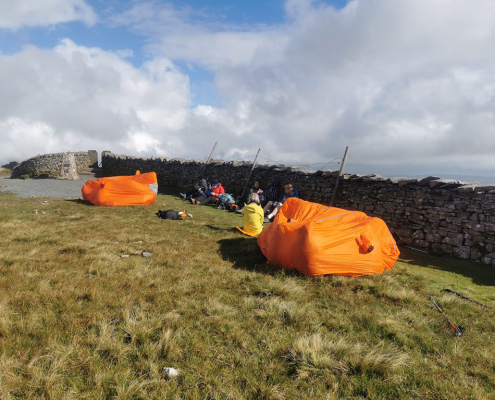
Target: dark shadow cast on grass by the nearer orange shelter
[[244, 253]]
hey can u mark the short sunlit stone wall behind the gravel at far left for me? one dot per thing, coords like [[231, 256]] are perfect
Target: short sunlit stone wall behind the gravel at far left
[[50, 165]]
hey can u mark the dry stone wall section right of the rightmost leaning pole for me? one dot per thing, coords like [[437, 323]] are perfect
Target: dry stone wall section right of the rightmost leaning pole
[[432, 214]]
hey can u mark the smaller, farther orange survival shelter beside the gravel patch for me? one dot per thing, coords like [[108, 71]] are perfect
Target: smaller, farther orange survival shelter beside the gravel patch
[[134, 190]]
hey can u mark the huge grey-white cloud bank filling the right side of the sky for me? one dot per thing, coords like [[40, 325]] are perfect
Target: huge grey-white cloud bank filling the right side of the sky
[[401, 83]]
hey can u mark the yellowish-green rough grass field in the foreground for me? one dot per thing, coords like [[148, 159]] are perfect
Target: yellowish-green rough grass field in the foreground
[[77, 321]]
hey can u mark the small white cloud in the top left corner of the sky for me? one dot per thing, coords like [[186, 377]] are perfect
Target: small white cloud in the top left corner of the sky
[[15, 14]]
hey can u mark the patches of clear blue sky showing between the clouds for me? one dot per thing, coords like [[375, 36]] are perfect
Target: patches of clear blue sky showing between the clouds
[[107, 36]]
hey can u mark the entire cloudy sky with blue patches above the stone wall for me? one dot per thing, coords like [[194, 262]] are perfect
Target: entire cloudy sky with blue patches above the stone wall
[[407, 85]]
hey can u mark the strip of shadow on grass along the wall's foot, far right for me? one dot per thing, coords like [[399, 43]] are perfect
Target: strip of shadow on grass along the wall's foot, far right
[[481, 275]]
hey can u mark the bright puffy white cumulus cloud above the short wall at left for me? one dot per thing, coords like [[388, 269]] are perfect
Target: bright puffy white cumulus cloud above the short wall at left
[[77, 98]]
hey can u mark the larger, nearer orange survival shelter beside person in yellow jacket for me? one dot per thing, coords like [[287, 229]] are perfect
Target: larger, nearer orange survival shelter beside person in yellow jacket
[[321, 240]]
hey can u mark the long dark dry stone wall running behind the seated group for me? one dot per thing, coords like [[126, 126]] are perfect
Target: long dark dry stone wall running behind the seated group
[[442, 216]]
